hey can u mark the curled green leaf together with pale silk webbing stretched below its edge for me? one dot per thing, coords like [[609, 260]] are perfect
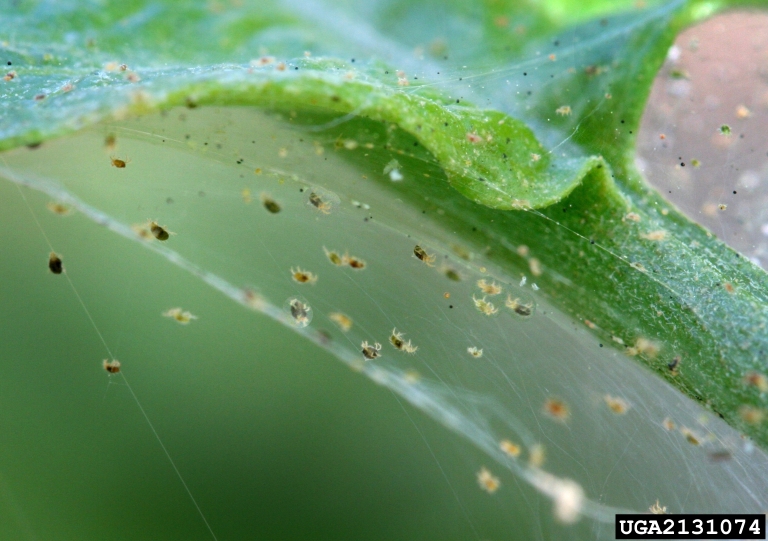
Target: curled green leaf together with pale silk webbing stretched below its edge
[[513, 124]]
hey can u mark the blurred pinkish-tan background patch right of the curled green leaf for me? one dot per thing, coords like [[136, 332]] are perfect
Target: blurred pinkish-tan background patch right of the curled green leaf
[[715, 75]]
